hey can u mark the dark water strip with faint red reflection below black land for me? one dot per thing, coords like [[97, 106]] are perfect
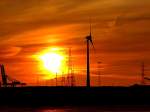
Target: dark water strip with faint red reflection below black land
[[114, 108]]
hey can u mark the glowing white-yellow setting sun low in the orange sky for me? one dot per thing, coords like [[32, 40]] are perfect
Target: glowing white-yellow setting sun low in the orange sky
[[51, 61]]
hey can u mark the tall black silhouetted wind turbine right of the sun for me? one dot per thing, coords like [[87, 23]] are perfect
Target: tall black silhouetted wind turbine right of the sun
[[88, 40]]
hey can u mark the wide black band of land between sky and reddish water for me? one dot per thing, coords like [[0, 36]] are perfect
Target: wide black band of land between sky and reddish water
[[76, 96]]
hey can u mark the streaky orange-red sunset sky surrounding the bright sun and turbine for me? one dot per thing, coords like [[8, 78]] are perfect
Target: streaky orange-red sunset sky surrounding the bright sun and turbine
[[120, 29]]
